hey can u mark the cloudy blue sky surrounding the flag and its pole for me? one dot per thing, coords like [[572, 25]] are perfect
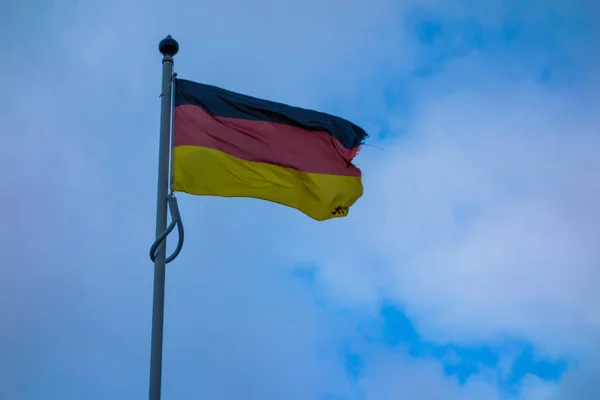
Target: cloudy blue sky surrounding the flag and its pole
[[467, 271]]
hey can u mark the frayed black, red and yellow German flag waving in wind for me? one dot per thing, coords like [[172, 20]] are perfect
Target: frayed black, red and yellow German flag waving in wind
[[232, 145]]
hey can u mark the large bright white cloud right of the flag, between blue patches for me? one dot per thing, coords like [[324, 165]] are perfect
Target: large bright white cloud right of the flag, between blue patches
[[487, 216]]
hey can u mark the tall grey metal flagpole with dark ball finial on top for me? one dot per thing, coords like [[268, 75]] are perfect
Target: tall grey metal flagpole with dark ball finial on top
[[168, 47]]
